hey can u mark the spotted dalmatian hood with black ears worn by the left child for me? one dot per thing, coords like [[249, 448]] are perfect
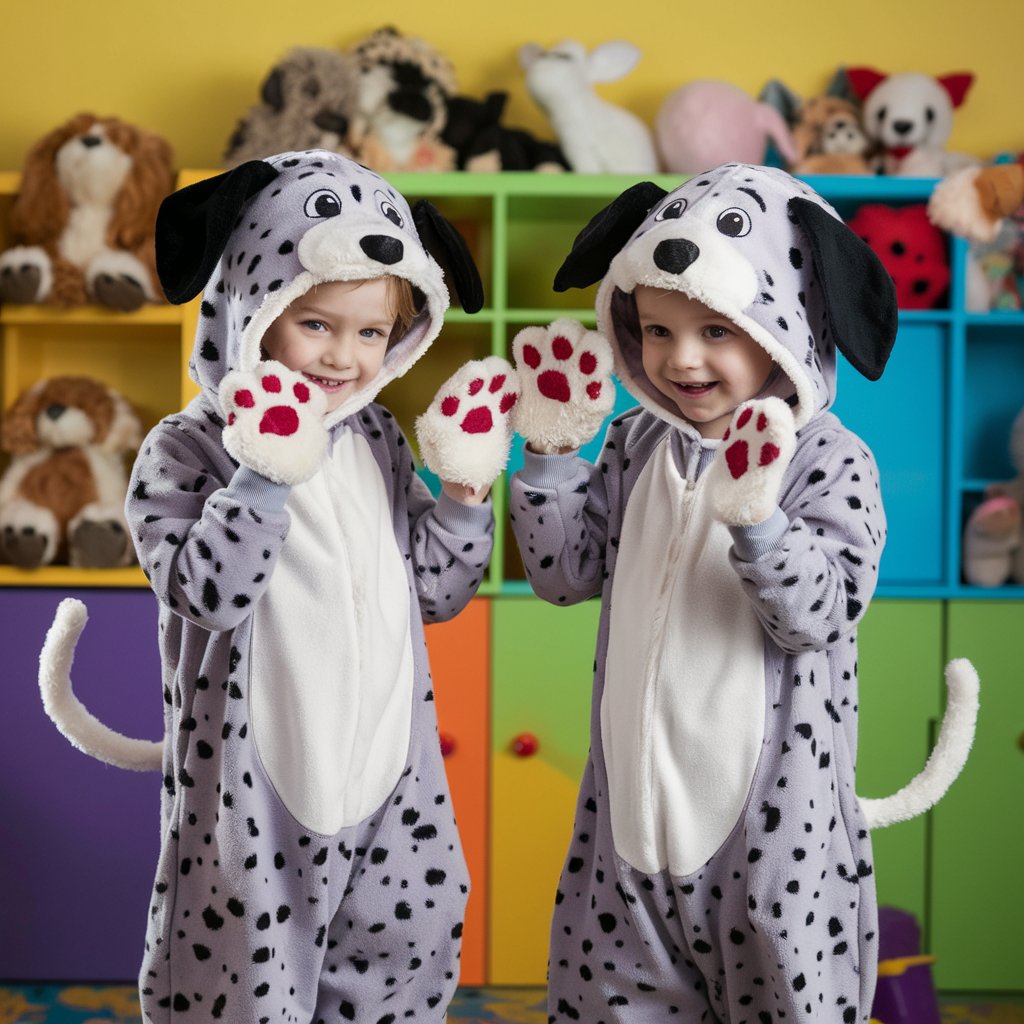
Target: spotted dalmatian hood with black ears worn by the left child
[[261, 236]]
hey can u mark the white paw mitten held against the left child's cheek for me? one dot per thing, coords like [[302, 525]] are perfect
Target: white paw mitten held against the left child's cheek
[[275, 422]]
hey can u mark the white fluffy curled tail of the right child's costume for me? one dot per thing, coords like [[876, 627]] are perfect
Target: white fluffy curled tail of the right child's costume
[[947, 760]]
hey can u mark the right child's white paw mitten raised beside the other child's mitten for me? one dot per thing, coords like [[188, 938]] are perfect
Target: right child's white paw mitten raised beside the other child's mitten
[[568, 392]]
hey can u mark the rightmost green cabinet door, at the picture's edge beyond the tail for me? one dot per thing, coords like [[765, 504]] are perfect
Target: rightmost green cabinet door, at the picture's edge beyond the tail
[[978, 847]]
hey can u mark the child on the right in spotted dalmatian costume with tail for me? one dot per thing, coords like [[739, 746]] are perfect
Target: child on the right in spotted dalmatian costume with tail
[[720, 868]]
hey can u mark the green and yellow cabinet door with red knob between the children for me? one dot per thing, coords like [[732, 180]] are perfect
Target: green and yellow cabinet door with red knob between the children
[[542, 682]]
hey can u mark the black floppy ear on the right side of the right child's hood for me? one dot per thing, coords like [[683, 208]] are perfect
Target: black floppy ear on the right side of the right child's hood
[[860, 294]]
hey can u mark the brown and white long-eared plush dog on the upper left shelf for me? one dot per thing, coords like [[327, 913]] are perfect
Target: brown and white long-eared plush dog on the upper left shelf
[[84, 219]]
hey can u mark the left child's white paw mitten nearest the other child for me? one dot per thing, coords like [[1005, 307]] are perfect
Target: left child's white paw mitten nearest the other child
[[466, 434]]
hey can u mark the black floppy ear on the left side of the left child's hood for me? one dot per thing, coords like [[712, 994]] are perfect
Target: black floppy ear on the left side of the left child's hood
[[195, 223]]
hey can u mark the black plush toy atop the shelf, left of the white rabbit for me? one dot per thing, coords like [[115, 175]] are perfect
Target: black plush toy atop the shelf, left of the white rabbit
[[483, 144]]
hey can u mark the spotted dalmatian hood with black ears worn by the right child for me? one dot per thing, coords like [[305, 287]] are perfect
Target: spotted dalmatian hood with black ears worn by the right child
[[760, 248]]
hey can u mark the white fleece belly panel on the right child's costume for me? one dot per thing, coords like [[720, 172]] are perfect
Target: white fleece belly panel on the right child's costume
[[682, 713]]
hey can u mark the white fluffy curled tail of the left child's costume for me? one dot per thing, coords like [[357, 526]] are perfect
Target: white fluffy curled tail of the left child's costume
[[81, 728]]
